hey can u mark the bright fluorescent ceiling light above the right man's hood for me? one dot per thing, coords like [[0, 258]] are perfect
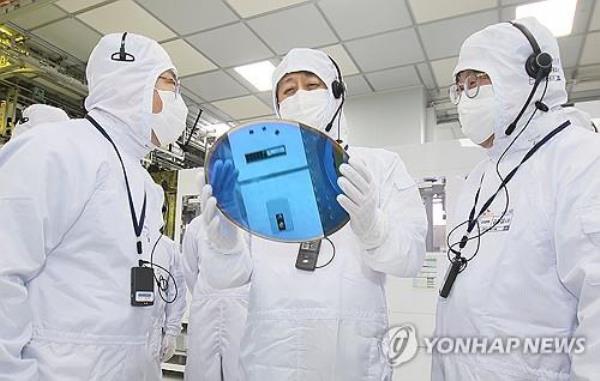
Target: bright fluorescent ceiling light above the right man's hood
[[556, 15]]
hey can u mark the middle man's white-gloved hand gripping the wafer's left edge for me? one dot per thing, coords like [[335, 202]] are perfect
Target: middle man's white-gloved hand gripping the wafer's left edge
[[222, 235]]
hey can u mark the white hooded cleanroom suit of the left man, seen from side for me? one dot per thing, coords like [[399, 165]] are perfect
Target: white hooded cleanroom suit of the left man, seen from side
[[68, 244]]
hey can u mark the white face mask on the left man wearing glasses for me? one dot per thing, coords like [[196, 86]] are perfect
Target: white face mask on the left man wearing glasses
[[169, 124]]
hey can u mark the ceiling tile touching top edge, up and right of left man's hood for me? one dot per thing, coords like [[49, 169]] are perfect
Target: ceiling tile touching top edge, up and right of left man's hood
[[189, 16]]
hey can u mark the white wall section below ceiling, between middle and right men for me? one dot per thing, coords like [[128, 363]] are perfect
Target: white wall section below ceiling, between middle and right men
[[391, 118]]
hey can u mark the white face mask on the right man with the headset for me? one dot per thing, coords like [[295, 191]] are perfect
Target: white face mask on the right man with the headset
[[478, 115]]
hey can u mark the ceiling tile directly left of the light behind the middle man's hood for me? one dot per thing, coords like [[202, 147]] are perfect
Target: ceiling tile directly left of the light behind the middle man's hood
[[213, 86]]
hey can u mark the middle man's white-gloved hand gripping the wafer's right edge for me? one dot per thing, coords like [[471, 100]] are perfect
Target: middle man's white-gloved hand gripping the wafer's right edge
[[360, 200]]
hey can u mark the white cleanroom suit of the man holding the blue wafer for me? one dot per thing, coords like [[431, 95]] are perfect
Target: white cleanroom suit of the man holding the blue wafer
[[327, 324]]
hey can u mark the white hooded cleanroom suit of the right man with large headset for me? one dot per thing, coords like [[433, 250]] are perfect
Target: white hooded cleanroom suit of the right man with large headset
[[537, 273]]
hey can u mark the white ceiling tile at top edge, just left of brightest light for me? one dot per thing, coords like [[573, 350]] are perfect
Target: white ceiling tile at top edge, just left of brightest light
[[429, 10]]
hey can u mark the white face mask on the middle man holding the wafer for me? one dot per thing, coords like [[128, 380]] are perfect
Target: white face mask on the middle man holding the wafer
[[308, 107]]
